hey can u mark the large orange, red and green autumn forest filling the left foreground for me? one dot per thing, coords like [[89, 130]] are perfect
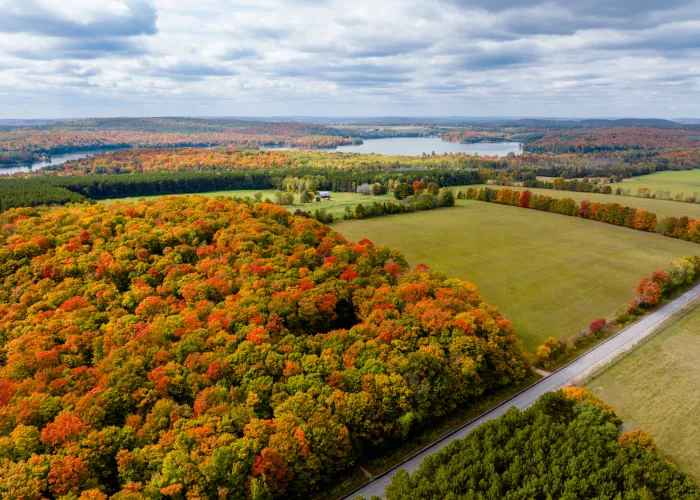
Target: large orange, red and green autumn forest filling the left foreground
[[197, 347]]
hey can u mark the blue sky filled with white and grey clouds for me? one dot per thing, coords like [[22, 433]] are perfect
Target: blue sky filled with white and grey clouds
[[552, 58]]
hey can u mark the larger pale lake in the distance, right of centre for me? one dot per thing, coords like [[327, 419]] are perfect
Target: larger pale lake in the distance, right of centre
[[416, 146]]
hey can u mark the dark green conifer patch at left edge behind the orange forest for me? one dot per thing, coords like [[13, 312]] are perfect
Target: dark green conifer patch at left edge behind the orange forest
[[33, 192]]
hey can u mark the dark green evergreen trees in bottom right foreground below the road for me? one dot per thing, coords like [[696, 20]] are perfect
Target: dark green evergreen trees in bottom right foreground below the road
[[568, 445]]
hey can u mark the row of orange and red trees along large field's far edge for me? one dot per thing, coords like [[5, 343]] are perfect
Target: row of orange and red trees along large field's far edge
[[612, 213]]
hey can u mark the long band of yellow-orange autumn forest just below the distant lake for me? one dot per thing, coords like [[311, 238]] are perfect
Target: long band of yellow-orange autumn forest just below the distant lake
[[524, 168]]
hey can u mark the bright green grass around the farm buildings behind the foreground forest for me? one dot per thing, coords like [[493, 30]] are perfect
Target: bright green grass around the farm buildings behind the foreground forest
[[336, 205]]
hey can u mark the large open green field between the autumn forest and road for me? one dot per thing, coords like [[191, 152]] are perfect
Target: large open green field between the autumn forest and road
[[550, 274]]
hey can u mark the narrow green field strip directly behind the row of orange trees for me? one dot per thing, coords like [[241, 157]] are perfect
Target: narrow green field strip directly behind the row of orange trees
[[662, 208]]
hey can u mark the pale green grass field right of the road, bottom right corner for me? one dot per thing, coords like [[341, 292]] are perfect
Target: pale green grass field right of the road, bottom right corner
[[656, 389]]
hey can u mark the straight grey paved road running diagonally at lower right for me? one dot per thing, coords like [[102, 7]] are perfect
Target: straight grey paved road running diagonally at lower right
[[567, 375]]
